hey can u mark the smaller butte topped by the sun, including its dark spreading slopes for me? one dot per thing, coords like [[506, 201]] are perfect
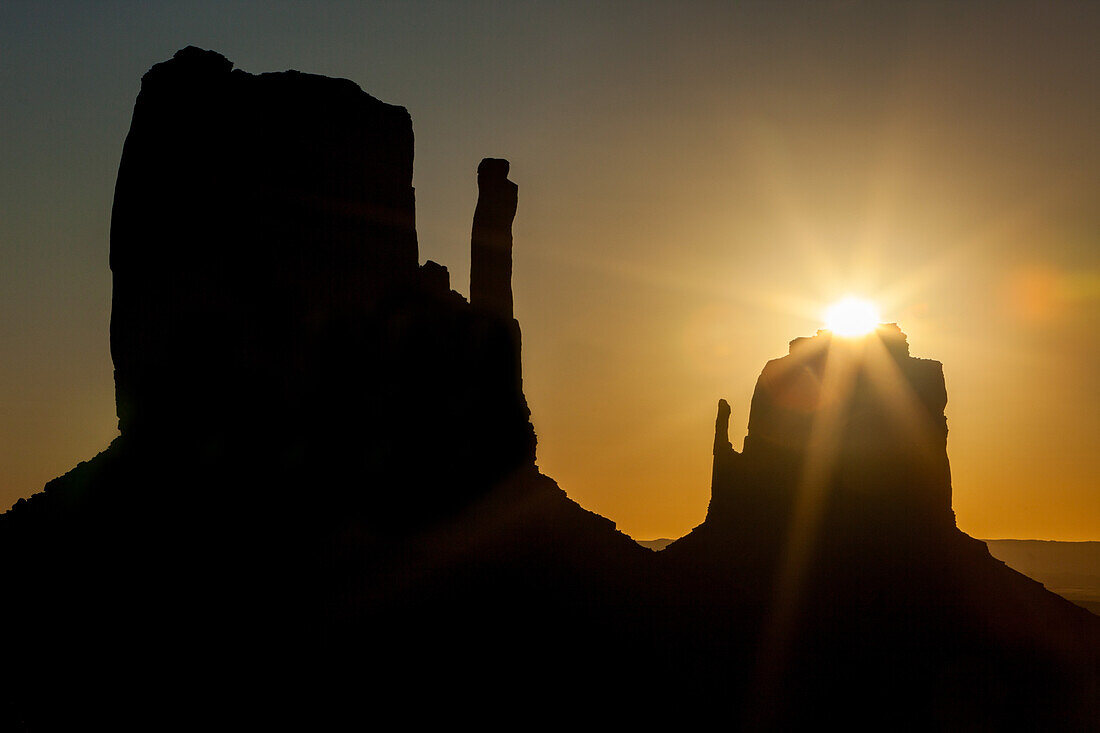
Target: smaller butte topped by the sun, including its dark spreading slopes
[[834, 534]]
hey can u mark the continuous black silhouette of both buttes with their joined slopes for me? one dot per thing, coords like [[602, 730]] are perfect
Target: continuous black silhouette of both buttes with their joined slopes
[[324, 506]]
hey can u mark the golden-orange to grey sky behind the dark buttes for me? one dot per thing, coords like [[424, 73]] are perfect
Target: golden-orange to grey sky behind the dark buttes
[[698, 182]]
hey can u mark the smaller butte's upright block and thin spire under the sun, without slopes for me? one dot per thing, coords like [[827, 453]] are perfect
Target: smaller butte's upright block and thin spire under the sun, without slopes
[[863, 420]]
